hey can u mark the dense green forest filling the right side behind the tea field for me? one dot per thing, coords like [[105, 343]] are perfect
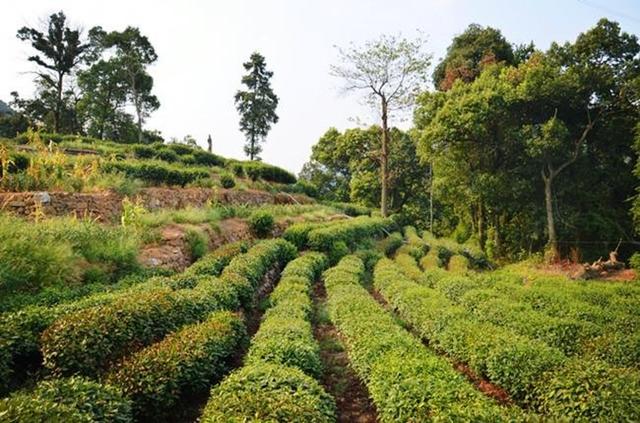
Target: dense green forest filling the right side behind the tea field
[[516, 147]]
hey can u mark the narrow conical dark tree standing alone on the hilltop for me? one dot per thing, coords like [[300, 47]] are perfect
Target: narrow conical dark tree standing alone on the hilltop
[[256, 105]]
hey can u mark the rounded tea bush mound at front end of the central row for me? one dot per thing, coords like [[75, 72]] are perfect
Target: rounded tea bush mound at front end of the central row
[[269, 392]]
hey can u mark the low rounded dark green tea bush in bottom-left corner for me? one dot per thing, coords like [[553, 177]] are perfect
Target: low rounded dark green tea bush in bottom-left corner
[[67, 400]]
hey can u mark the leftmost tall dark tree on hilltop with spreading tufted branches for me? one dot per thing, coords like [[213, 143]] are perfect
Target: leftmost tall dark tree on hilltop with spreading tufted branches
[[60, 50]]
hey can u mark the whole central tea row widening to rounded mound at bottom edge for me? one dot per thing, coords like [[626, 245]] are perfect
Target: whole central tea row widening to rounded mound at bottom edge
[[277, 382]]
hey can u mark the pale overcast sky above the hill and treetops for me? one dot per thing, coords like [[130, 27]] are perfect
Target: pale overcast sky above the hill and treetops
[[202, 44]]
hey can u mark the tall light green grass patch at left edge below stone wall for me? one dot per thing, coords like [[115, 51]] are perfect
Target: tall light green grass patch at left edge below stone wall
[[62, 251]]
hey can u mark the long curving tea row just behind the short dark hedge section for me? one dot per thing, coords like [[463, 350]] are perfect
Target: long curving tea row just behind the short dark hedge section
[[87, 341]]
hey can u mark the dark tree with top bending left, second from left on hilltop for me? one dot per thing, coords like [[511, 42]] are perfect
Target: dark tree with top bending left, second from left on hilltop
[[133, 53]]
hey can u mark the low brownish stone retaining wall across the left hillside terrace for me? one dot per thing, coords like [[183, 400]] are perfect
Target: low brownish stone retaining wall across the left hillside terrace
[[107, 206]]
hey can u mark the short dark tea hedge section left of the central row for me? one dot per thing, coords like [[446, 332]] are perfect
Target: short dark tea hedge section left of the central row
[[186, 361]]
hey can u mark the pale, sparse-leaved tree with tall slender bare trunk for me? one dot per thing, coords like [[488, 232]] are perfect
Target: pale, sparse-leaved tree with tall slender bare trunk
[[392, 71]]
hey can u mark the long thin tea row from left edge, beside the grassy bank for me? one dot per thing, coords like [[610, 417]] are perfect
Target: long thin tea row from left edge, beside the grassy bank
[[20, 331]]
